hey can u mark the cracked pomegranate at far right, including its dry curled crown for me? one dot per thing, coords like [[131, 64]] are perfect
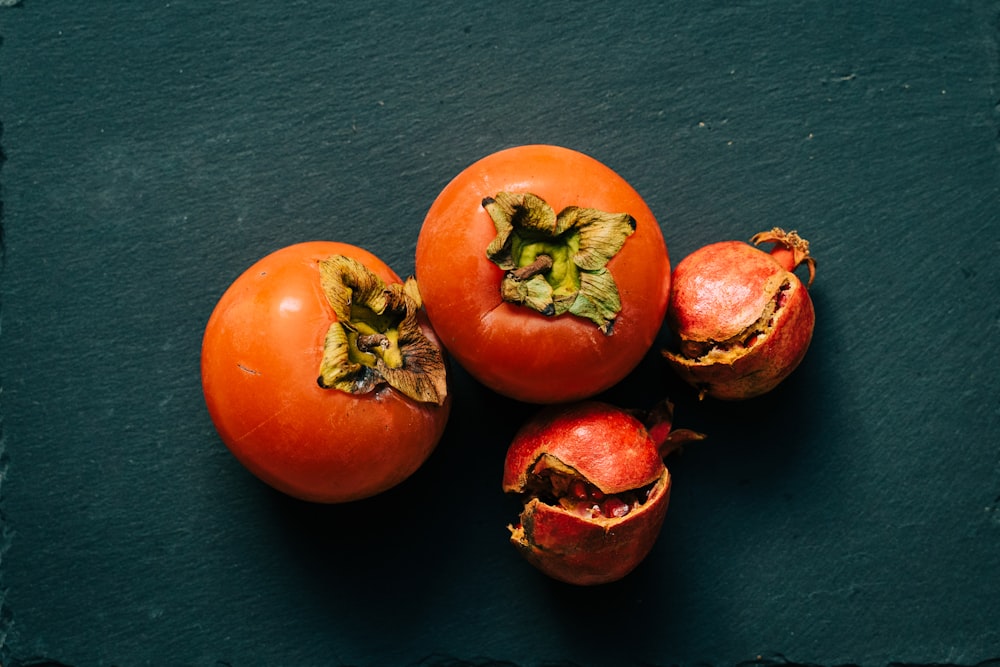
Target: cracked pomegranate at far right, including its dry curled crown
[[741, 319]]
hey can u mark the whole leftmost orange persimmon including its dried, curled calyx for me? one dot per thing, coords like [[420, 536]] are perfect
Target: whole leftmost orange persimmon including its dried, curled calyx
[[322, 375]]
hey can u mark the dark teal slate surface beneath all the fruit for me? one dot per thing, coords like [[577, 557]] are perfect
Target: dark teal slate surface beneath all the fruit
[[154, 150]]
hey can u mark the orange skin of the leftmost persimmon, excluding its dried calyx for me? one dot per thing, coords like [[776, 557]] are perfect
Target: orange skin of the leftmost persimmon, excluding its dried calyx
[[260, 362]]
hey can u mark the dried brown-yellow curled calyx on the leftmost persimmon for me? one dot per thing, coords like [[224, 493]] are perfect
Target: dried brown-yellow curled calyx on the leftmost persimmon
[[376, 338]]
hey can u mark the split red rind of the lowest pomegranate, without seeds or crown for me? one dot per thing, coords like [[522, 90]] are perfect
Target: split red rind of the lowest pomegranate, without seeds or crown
[[613, 451]]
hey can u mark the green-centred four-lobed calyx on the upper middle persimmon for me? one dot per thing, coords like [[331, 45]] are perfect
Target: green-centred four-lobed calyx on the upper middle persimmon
[[557, 264]]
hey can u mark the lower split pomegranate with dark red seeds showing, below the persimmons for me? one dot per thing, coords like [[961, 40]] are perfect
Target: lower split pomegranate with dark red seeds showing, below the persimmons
[[595, 488]]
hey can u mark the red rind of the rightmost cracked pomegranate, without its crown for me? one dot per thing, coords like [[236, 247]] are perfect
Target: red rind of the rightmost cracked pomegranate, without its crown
[[720, 290]]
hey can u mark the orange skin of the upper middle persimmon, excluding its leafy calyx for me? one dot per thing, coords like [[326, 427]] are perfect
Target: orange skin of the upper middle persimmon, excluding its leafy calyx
[[511, 349]]
